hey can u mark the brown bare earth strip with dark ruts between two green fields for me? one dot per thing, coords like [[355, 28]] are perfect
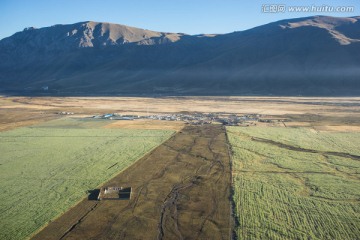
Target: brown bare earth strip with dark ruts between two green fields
[[180, 191]]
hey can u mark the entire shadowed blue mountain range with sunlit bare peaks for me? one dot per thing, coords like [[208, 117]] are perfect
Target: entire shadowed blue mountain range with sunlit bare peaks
[[318, 56]]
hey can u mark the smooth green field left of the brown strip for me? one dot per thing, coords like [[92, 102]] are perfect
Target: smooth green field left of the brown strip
[[46, 169]]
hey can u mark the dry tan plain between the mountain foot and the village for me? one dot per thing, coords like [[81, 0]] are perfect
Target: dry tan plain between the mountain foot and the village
[[335, 114]]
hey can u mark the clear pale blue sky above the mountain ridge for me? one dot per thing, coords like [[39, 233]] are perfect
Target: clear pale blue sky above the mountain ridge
[[187, 16]]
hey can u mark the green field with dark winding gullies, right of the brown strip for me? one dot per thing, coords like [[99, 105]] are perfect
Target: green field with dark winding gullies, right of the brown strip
[[302, 184]]
